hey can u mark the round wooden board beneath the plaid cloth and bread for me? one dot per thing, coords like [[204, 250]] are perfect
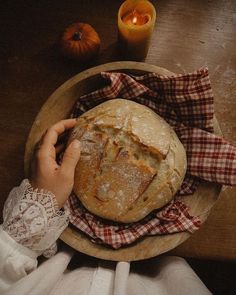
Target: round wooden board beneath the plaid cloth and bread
[[58, 107]]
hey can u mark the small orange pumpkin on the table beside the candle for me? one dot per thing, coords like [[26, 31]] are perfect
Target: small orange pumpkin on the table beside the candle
[[80, 41]]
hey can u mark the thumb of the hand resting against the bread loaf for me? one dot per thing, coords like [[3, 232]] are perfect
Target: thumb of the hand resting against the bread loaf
[[71, 157]]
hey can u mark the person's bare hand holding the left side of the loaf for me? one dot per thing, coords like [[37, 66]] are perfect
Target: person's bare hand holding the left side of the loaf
[[46, 173]]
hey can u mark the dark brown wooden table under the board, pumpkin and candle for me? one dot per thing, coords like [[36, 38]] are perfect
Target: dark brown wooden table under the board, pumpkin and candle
[[187, 36]]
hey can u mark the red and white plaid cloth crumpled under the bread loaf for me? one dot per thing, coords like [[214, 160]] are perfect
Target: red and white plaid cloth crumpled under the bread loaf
[[186, 103]]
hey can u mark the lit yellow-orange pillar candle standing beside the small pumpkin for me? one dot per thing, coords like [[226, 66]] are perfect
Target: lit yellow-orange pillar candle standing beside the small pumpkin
[[136, 20]]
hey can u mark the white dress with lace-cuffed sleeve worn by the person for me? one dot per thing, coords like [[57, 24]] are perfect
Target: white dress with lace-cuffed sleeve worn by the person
[[27, 221]]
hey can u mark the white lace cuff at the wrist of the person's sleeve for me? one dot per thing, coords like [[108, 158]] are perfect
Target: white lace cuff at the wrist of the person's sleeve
[[32, 218]]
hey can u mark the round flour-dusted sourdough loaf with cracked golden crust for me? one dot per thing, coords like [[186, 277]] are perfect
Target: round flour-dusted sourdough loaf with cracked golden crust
[[132, 162]]
